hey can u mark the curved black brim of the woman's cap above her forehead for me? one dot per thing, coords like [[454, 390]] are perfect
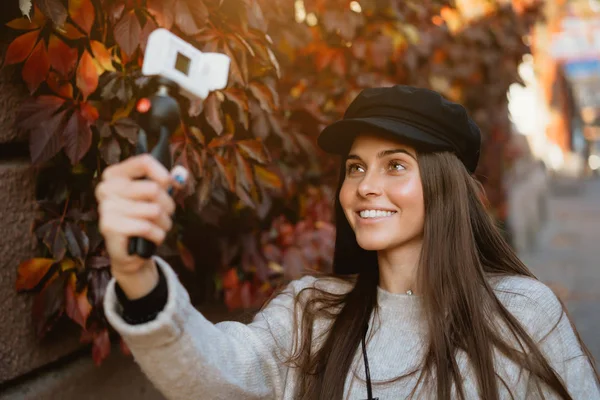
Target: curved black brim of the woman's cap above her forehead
[[338, 137]]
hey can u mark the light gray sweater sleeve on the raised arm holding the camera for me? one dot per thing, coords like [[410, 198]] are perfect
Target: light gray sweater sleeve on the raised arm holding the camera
[[186, 356]]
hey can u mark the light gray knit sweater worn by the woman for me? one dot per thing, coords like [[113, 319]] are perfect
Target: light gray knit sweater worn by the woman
[[188, 357]]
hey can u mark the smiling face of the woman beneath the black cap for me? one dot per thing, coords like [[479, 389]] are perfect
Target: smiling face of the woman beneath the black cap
[[382, 195]]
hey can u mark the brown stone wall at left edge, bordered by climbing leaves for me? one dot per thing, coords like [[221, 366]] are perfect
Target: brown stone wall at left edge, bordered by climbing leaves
[[58, 367]]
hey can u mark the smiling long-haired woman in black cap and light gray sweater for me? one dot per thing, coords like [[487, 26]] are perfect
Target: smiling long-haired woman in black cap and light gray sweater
[[428, 300]]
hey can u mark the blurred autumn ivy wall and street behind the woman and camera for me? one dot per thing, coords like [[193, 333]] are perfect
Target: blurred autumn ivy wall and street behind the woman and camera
[[257, 212]]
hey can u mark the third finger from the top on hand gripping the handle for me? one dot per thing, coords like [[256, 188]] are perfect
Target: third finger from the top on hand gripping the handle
[[152, 212]]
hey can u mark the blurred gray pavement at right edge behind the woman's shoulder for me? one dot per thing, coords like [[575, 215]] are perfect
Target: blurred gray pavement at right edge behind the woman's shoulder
[[567, 254]]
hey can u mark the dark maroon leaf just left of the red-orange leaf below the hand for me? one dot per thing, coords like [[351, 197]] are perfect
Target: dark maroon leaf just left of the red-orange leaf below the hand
[[48, 305]]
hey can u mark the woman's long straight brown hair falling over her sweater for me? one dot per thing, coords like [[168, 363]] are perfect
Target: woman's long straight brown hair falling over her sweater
[[457, 297]]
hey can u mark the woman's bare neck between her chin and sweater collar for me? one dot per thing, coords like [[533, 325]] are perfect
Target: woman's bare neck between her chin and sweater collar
[[398, 267]]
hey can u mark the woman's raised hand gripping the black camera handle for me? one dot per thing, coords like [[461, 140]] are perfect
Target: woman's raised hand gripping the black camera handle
[[130, 207]]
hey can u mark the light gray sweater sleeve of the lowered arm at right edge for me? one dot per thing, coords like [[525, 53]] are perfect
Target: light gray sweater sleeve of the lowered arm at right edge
[[559, 344]]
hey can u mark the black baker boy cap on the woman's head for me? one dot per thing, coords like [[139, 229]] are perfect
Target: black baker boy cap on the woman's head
[[421, 117]]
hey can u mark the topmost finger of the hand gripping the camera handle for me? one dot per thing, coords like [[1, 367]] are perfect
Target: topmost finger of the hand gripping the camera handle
[[142, 166]]
